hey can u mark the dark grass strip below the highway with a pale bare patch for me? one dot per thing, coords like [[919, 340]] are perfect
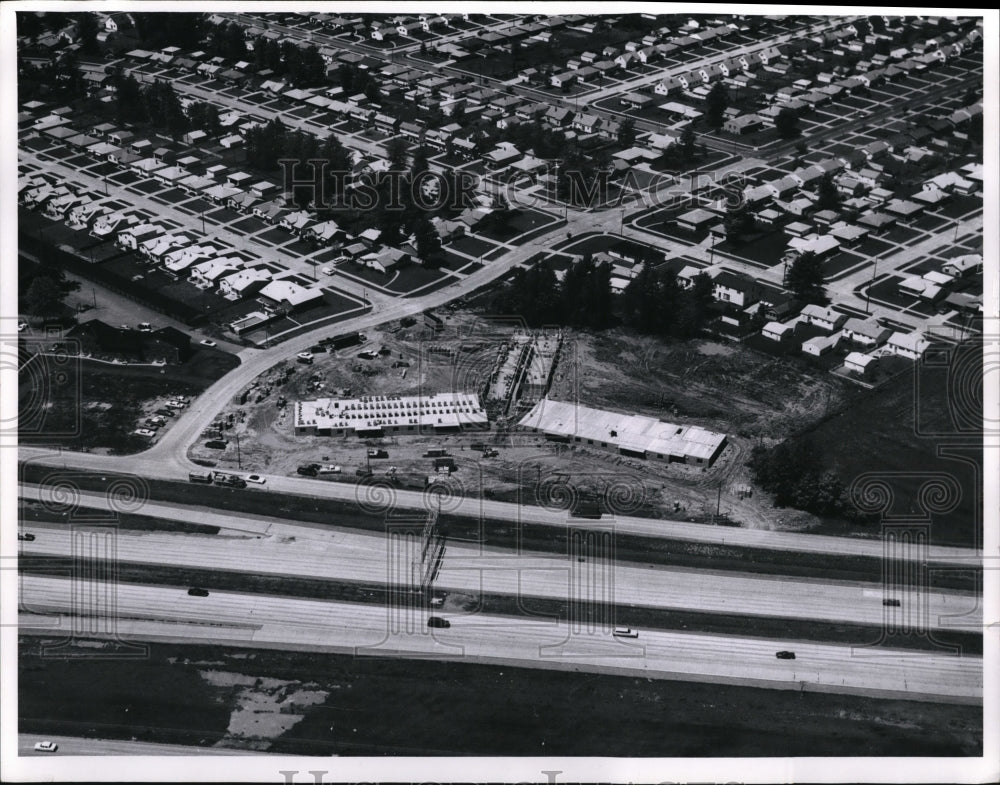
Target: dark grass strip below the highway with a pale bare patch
[[322, 704]]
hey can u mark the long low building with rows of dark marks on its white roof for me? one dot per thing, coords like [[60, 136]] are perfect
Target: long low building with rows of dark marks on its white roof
[[376, 415]]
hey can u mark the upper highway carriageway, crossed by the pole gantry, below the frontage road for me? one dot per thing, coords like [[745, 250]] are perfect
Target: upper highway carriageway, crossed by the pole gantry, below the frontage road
[[272, 546]]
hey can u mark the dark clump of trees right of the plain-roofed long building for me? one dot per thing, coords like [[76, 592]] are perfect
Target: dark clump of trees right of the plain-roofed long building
[[792, 472]]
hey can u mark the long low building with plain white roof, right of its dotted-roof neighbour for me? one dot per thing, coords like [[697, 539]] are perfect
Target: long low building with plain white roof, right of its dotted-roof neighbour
[[635, 435]]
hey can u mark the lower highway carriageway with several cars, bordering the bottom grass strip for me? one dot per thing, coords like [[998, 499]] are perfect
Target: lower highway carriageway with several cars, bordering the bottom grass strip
[[147, 612]]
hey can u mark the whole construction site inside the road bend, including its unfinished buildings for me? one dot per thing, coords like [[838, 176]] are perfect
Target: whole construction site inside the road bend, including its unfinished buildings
[[375, 384]]
